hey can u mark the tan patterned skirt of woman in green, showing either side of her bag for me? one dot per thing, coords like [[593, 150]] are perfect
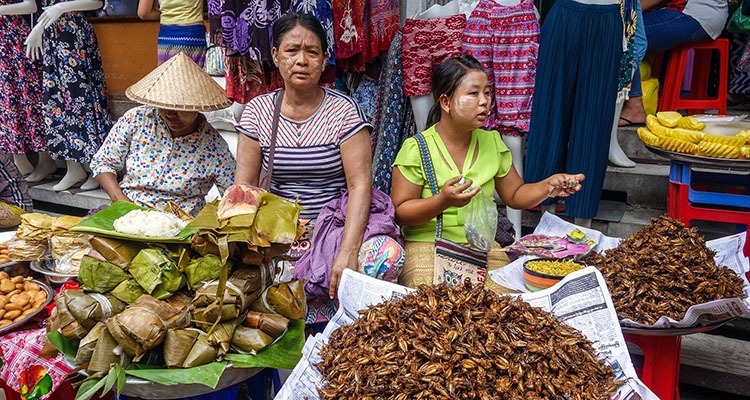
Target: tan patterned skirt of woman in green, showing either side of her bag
[[420, 266]]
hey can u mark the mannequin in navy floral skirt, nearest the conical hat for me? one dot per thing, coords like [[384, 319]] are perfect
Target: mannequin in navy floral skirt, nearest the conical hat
[[75, 104]]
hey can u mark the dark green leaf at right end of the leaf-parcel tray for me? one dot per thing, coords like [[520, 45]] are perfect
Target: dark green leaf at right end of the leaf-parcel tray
[[284, 354]]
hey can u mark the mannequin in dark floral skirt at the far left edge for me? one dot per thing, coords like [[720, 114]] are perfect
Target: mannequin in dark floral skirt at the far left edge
[[21, 127]]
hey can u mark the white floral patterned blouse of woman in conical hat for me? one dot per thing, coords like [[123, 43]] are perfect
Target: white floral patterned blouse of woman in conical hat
[[160, 168]]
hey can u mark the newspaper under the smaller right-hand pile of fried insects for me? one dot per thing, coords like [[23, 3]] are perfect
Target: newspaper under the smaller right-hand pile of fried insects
[[728, 253]]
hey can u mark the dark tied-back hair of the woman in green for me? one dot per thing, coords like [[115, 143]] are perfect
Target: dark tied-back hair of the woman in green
[[446, 78]]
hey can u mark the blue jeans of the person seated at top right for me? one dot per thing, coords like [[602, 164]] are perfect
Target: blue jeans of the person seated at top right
[[665, 30]]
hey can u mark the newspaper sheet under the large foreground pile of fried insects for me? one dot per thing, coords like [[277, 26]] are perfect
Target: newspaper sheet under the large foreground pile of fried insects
[[580, 300]]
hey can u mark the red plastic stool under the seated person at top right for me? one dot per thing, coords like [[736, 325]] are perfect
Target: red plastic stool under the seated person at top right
[[698, 101]]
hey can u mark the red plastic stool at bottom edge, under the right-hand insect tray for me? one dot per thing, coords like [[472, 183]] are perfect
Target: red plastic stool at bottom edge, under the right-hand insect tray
[[661, 363]]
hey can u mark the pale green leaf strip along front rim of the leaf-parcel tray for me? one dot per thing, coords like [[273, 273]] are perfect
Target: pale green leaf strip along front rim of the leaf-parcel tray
[[207, 374]]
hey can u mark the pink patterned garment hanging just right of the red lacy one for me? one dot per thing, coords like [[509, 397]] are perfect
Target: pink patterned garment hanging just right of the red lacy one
[[506, 41]]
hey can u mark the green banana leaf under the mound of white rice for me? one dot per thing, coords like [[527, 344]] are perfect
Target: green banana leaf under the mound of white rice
[[102, 222]]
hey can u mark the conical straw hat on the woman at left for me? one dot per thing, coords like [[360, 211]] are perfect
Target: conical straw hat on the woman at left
[[179, 84]]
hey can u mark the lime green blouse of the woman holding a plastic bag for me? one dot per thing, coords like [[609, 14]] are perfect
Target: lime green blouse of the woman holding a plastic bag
[[493, 161]]
